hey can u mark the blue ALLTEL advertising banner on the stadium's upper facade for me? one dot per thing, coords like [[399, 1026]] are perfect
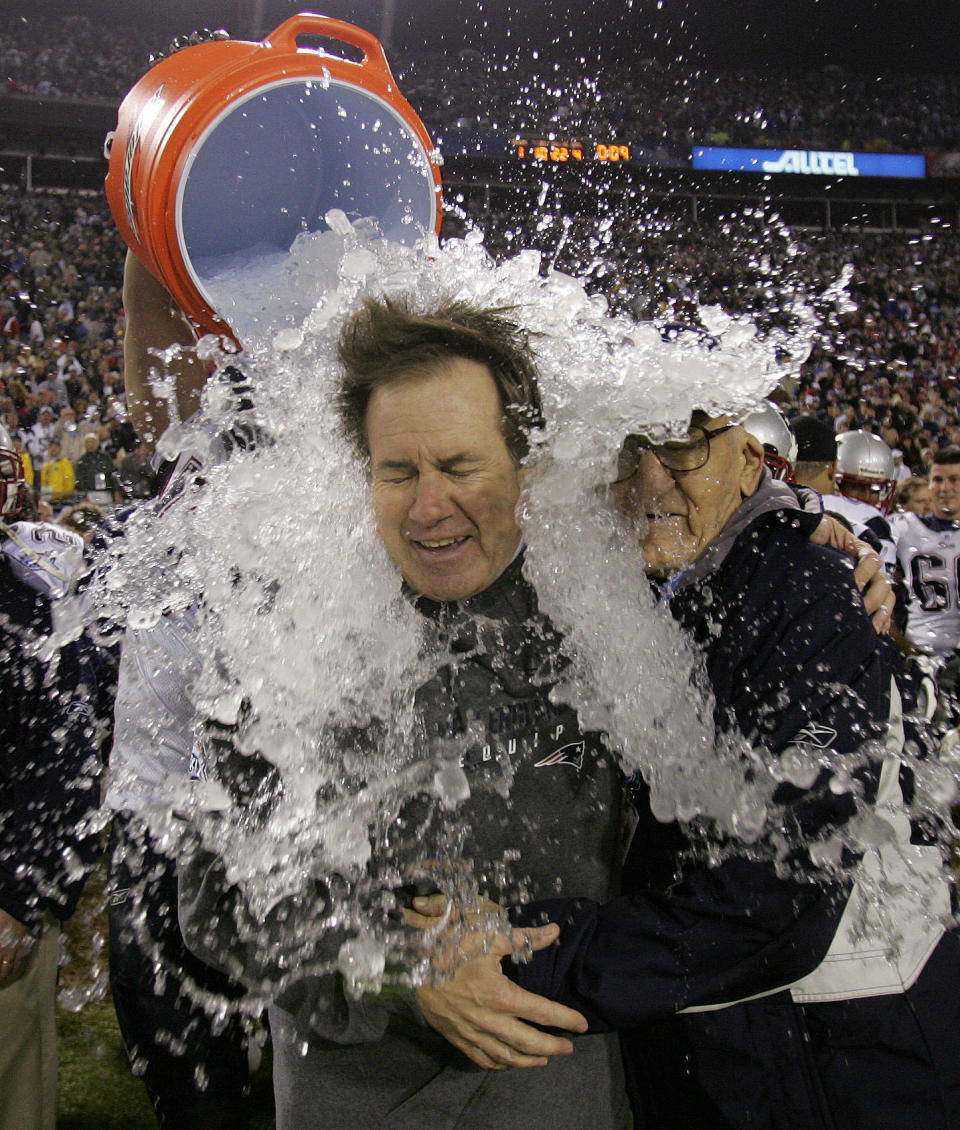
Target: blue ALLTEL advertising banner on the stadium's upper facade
[[814, 162]]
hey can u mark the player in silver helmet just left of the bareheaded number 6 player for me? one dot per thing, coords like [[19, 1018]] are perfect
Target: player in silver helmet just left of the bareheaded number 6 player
[[867, 483]]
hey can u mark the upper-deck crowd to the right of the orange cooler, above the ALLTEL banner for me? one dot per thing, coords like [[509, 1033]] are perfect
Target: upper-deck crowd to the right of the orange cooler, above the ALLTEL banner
[[671, 106]]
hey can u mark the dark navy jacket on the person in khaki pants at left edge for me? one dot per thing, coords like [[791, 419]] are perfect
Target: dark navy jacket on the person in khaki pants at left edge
[[49, 761]]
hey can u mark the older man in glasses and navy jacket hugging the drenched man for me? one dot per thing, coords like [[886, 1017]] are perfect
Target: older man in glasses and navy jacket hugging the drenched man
[[757, 985]]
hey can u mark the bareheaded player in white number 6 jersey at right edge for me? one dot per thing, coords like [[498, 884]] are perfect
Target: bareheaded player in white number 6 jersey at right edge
[[929, 555]]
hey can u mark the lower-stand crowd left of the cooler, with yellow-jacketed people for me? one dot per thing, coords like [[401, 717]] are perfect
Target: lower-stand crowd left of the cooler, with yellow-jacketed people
[[62, 395]]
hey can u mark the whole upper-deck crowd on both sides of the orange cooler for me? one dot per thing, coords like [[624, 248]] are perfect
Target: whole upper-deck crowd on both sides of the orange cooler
[[662, 106]]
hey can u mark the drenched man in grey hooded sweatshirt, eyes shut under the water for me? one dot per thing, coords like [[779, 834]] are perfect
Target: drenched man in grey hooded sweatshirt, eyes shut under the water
[[439, 404]]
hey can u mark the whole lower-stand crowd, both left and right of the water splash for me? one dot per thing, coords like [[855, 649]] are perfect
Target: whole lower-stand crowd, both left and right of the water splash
[[886, 359]]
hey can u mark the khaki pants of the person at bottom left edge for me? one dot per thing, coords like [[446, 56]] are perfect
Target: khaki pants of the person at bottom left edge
[[29, 1040]]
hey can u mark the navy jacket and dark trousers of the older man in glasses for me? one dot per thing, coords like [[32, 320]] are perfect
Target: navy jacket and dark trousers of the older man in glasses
[[790, 655]]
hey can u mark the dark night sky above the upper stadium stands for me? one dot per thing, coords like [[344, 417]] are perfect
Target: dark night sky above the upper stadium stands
[[859, 34]]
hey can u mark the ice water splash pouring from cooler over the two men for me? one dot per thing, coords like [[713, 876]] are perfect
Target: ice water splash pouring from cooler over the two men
[[304, 637]]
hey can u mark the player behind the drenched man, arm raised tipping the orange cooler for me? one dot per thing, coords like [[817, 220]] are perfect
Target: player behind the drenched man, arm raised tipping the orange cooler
[[197, 1073]]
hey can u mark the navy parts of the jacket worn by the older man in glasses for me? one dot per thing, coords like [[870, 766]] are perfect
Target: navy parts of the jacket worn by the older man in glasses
[[790, 651]]
